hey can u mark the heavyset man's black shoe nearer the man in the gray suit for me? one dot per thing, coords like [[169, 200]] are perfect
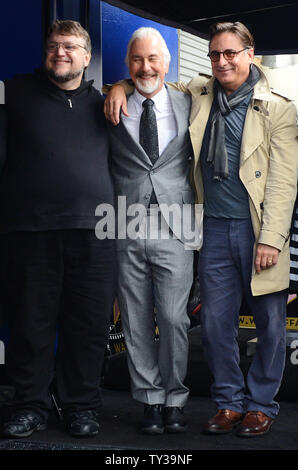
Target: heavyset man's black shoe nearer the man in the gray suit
[[82, 423]]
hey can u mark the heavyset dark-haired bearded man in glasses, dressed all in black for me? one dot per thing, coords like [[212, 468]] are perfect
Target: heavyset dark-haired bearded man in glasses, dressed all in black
[[54, 271]]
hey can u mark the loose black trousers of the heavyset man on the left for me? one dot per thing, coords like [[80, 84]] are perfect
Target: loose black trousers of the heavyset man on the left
[[61, 279]]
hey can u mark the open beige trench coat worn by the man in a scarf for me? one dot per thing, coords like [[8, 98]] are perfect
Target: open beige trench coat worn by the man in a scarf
[[268, 169]]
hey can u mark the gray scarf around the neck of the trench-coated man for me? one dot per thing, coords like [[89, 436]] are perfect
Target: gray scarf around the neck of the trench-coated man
[[217, 152]]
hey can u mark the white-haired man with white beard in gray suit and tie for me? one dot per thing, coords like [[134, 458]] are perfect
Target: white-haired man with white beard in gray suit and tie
[[151, 158]]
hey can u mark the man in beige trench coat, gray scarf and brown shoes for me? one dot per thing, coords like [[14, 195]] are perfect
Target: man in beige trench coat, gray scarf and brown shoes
[[244, 138]]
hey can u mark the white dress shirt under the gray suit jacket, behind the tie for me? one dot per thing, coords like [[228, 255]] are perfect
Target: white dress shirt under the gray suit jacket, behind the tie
[[166, 122]]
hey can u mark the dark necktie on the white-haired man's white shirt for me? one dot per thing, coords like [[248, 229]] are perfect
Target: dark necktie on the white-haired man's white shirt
[[148, 131]]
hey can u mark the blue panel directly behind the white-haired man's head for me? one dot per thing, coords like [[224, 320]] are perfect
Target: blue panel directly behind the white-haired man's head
[[117, 28]]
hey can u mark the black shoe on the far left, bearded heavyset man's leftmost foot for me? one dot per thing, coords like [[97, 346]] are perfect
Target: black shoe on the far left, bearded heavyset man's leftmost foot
[[23, 423]]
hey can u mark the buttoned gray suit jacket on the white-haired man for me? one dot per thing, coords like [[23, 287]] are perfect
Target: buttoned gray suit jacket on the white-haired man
[[135, 176]]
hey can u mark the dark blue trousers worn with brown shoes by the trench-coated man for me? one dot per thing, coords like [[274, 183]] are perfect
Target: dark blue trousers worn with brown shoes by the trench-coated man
[[225, 265]]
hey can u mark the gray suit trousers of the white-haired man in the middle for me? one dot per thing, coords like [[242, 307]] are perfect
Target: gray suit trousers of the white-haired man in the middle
[[155, 278]]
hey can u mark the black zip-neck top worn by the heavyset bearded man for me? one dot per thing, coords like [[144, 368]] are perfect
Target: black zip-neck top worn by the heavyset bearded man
[[57, 168]]
